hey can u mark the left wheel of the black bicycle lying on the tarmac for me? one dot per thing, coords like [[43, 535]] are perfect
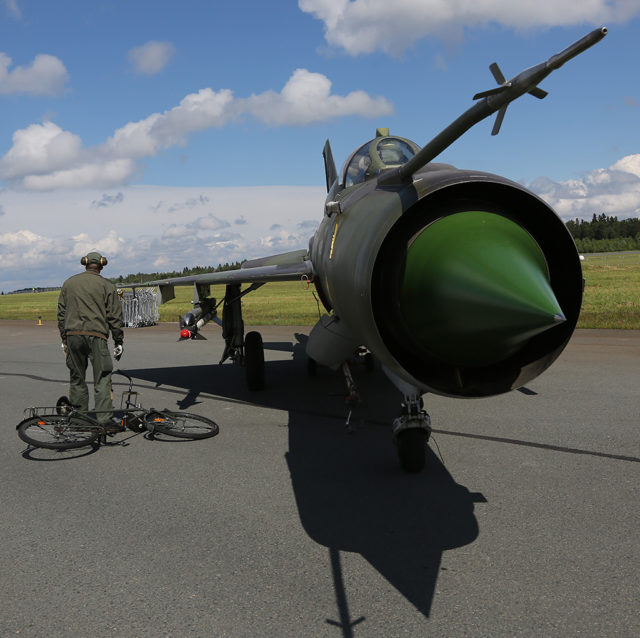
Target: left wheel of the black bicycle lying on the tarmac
[[58, 432]]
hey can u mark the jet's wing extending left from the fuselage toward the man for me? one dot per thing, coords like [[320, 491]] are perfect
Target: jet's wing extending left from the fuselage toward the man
[[289, 266]]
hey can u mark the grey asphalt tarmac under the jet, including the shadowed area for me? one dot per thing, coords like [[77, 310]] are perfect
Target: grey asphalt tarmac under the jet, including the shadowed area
[[526, 522]]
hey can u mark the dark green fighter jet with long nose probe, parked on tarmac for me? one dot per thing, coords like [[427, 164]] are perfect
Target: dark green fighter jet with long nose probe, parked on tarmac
[[459, 282]]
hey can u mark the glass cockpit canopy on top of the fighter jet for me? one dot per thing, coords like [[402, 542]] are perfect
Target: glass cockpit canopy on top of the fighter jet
[[382, 152]]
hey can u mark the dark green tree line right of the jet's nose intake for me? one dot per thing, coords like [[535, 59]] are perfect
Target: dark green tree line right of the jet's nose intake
[[605, 234]]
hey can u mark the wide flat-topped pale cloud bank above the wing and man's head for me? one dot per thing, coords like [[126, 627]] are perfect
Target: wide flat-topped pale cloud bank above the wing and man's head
[[45, 233]]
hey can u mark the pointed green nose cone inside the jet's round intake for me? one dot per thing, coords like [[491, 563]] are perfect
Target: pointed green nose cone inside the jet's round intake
[[476, 288]]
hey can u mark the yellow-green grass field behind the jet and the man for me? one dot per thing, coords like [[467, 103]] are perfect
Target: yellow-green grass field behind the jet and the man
[[611, 299]]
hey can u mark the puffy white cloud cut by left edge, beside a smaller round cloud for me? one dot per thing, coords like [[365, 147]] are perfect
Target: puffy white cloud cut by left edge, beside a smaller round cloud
[[46, 75]]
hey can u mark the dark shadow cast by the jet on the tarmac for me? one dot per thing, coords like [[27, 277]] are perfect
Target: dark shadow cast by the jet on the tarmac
[[350, 492]]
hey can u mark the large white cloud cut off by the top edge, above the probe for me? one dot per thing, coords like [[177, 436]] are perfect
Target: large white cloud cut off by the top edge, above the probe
[[364, 26]]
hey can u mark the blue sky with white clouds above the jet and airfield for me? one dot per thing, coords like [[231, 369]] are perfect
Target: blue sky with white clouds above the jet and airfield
[[168, 134]]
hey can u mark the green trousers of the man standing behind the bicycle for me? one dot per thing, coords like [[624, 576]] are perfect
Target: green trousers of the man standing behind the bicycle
[[80, 350]]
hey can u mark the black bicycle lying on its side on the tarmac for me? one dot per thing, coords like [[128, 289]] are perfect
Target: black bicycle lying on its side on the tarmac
[[64, 427]]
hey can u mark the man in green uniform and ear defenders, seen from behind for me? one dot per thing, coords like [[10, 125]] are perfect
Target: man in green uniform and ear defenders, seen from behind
[[88, 309]]
